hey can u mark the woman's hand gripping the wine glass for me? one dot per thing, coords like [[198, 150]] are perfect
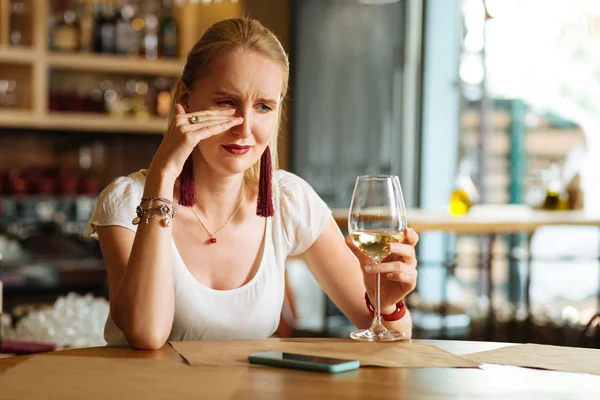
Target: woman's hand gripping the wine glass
[[398, 271]]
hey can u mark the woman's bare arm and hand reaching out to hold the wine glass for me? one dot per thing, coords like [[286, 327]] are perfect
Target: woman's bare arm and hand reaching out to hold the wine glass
[[344, 273]]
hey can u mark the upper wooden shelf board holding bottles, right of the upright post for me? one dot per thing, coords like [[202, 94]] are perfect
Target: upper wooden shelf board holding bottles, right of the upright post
[[115, 64]]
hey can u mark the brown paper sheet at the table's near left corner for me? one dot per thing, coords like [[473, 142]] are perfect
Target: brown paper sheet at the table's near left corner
[[52, 377]]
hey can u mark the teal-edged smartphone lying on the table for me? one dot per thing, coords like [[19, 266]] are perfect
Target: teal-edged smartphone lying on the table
[[303, 361]]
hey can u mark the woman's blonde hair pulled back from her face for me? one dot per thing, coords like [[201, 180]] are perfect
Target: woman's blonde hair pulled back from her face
[[230, 36]]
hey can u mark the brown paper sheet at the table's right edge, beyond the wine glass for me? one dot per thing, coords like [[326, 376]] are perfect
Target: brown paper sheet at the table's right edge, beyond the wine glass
[[558, 358]]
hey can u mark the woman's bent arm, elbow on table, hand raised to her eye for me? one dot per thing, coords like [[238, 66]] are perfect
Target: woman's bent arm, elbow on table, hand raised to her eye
[[140, 274]]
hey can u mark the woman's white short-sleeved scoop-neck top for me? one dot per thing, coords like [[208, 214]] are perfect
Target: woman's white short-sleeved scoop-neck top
[[251, 311]]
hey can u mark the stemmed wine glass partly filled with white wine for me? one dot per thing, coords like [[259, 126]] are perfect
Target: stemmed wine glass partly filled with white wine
[[377, 218]]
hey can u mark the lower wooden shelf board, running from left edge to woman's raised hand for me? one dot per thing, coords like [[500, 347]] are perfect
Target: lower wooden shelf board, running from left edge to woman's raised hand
[[81, 122]]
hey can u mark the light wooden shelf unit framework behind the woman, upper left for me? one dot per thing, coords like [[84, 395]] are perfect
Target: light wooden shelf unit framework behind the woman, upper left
[[32, 64]]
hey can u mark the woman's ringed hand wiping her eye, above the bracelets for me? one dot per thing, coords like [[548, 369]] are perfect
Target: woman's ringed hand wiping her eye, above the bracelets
[[183, 136]]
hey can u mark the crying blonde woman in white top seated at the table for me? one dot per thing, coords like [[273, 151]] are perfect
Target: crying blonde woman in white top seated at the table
[[204, 257]]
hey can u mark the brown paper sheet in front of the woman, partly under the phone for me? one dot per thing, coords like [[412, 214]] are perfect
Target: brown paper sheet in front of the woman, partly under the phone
[[402, 354]]
